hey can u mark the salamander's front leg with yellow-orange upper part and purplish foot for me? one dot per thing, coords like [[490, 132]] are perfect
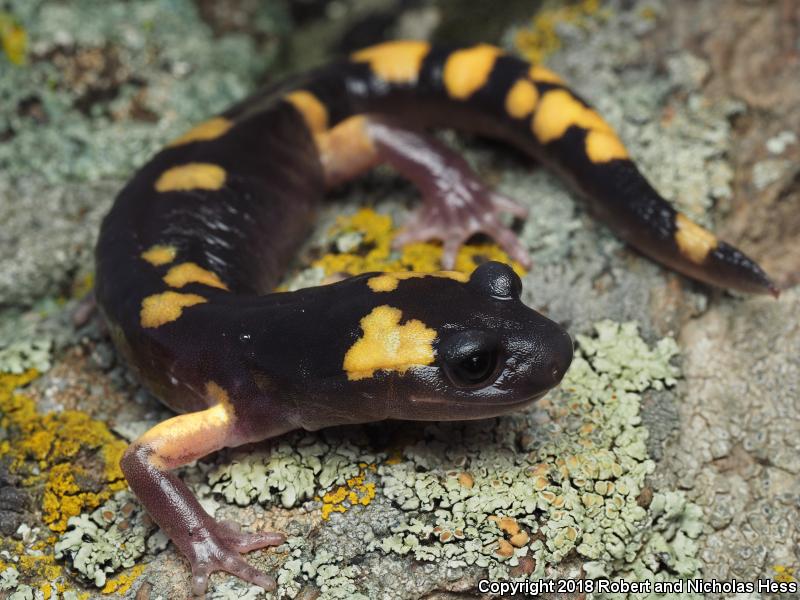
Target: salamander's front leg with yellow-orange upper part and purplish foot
[[207, 544]]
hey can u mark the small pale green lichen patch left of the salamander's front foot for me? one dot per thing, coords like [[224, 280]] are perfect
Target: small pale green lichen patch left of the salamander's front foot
[[111, 538]]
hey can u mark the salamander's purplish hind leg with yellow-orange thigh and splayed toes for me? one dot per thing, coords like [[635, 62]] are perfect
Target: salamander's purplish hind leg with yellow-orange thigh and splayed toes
[[457, 204]]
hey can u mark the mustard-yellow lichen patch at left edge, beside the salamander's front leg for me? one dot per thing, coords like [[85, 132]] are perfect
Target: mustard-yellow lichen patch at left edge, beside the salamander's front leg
[[50, 449]]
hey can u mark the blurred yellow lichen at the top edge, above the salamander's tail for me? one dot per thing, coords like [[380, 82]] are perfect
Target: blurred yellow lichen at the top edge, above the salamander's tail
[[541, 39]]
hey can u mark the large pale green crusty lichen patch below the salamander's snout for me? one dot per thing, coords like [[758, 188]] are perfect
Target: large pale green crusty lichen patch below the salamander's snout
[[575, 488]]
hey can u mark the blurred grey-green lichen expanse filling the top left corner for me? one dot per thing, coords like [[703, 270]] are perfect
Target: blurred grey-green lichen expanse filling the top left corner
[[113, 69]]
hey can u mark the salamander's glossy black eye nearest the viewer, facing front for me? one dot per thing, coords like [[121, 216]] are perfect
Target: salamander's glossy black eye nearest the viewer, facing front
[[470, 358]]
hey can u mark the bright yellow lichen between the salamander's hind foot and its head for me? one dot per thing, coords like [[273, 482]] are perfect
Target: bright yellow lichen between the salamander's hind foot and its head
[[374, 252]]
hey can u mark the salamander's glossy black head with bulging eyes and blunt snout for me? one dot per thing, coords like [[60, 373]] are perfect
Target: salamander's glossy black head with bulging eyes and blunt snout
[[473, 349]]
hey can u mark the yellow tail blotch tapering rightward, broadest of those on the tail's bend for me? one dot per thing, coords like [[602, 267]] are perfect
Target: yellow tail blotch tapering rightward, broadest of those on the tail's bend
[[558, 111]]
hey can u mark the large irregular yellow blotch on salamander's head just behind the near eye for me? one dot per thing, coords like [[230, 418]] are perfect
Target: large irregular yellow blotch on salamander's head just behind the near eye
[[388, 346]]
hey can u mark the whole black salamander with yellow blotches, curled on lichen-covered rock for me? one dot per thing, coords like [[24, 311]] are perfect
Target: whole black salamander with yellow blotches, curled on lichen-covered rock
[[194, 245]]
